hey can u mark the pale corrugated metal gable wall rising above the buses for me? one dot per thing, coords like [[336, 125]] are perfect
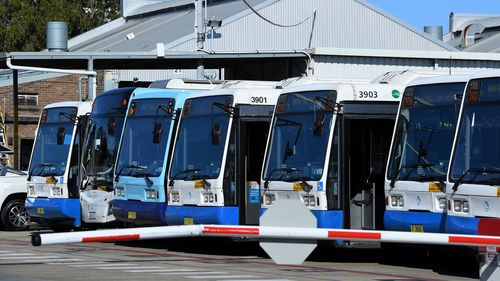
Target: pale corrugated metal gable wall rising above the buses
[[337, 24]]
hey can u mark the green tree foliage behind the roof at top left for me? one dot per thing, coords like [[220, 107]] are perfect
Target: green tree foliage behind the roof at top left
[[23, 23]]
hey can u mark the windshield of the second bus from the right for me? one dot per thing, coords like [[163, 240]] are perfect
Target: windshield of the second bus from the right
[[425, 131]]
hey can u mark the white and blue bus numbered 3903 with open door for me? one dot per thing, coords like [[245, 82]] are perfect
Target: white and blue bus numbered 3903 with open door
[[328, 147]]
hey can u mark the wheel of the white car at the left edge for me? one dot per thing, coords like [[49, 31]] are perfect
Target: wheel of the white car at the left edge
[[14, 215]]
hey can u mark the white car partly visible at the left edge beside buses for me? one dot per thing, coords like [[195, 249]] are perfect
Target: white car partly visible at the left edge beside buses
[[13, 215]]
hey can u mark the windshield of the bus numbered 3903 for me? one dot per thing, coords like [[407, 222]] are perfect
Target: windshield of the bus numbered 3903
[[300, 133]]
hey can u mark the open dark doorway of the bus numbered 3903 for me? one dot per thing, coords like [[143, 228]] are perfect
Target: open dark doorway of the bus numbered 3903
[[367, 140]]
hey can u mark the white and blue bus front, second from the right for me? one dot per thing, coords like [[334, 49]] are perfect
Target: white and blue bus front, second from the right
[[421, 148]]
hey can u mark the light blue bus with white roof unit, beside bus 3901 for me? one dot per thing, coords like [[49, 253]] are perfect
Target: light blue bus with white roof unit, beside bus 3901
[[145, 148]]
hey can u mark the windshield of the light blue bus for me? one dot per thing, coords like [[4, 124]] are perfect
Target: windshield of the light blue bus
[[145, 137]]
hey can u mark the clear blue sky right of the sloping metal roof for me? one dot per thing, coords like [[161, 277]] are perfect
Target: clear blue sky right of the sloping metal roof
[[420, 13]]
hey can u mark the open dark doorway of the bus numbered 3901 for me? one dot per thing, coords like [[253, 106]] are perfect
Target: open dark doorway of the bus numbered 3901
[[252, 131]]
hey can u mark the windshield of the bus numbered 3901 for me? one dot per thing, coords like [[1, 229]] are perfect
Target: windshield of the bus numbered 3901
[[201, 138]]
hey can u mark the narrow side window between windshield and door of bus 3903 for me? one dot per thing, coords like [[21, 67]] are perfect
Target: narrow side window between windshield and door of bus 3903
[[332, 179]]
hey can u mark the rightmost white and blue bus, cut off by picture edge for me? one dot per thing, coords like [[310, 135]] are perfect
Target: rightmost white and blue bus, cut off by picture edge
[[472, 190]]
